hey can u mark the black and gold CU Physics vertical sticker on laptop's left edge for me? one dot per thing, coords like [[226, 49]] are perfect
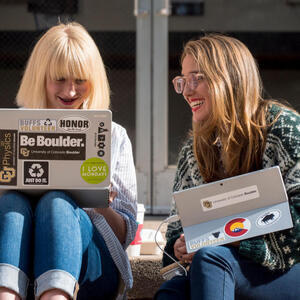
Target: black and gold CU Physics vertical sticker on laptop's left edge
[[8, 157]]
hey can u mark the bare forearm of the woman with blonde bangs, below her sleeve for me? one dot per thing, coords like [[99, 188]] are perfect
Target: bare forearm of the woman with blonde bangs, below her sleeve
[[115, 221]]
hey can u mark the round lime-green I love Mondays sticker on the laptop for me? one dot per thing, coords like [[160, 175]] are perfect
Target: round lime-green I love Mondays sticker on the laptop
[[94, 170]]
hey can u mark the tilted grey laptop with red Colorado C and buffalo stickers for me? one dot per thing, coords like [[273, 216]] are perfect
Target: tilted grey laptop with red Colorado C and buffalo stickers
[[234, 209]]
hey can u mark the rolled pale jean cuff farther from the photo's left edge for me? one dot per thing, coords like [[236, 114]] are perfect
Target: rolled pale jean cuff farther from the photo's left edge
[[56, 279]]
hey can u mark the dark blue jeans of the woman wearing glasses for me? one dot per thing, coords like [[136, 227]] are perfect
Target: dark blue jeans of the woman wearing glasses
[[221, 273]]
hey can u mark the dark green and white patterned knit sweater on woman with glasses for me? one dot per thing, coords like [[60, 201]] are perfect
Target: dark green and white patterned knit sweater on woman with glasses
[[276, 251]]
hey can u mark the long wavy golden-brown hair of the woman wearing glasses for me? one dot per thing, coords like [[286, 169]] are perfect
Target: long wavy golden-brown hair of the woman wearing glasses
[[232, 140]]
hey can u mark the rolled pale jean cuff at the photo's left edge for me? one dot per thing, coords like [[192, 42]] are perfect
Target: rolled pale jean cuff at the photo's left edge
[[14, 279]]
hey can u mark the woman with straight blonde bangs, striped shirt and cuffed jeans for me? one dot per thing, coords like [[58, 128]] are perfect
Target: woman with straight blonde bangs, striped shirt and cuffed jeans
[[66, 251]]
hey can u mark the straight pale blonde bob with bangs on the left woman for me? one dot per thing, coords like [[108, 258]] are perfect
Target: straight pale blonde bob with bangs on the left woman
[[65, 50]]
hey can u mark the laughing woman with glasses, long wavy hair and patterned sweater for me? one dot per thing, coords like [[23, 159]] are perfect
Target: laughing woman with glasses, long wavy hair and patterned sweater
[[235, 131]]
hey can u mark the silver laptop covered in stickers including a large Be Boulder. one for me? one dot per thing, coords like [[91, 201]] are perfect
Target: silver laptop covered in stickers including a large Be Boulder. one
[[59, 149]]
